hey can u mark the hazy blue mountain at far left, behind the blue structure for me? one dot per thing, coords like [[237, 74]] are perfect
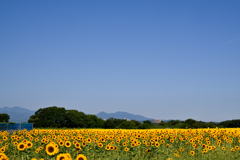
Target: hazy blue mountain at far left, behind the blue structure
[[17, 114]]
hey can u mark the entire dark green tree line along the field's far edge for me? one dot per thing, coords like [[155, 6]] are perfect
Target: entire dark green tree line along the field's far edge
[[59, 117]]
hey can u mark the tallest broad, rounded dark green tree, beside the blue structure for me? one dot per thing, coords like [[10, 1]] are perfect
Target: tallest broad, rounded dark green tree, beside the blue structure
[[49, 117]]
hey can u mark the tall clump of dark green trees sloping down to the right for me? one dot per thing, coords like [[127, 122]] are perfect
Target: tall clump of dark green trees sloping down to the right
[[59, 117]]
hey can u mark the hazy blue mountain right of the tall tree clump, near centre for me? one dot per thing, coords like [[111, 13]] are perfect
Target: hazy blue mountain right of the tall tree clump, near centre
[[122, 115]]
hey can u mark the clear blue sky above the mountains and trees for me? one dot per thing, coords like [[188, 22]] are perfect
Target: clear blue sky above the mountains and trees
[[160, 59]]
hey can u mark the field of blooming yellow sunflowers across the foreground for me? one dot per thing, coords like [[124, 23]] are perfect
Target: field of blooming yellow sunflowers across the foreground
[[119, 144]]
